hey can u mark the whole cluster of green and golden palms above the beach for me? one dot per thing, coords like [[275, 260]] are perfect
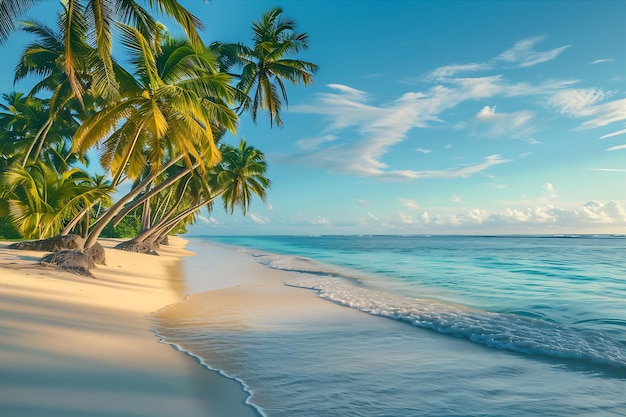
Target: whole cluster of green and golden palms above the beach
[[155, 123]]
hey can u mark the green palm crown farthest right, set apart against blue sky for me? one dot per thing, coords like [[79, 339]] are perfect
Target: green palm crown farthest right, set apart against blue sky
[[267, 64]]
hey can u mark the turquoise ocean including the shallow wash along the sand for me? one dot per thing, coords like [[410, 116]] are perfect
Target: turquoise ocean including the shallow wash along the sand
[[431, 326]]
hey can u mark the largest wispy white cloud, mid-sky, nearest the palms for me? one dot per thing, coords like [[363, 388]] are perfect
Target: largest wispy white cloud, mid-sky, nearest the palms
[[378, 128]]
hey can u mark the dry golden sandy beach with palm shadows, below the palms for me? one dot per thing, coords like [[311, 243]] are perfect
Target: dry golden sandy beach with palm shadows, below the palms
[[79, 346]]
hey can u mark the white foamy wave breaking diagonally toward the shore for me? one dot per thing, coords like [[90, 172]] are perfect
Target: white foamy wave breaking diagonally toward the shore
[[496, 330]]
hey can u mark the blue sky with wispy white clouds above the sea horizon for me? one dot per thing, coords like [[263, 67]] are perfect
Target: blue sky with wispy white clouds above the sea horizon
[[438, 117]]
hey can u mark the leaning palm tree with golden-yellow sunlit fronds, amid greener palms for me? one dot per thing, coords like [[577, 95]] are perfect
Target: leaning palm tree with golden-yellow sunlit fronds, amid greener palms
[[168, 113]]
